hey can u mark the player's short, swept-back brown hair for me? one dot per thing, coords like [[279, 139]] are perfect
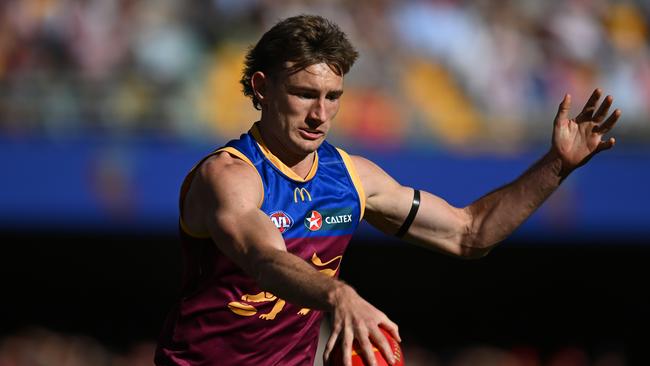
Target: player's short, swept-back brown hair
[[303, 40]]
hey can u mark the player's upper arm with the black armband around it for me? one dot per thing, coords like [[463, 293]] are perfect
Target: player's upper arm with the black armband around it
[[437, 225]]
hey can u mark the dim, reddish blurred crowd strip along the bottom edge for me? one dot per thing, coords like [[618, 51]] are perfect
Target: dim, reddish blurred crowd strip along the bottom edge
[[42, 347]]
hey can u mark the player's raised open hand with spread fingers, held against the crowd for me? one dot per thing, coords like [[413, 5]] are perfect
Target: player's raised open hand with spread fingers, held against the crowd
[[578, 139]]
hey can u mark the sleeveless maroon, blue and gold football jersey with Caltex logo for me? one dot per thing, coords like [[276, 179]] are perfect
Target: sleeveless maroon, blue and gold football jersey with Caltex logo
[[223, 317]]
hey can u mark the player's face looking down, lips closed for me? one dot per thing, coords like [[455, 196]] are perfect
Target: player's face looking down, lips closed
[[301, 107]]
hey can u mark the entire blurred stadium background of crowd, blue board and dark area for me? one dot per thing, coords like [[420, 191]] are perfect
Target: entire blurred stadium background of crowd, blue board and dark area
[[104, 105]]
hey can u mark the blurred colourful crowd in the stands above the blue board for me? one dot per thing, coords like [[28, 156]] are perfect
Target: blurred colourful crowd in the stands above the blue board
[[435, 73]]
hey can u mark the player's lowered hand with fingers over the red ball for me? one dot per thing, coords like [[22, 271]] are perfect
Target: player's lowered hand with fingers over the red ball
[[354, 319]]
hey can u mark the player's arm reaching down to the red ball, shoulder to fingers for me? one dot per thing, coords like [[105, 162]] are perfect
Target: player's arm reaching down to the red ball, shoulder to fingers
[[223, 199]]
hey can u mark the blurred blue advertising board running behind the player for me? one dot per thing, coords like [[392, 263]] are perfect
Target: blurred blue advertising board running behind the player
[[131, 186]]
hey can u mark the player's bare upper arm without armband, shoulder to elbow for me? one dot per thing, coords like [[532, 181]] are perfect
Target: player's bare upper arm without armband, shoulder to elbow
[[229, 191]]
